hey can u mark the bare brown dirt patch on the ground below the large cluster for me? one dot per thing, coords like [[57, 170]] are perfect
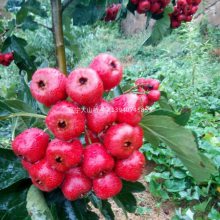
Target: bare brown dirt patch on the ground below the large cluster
[[145, 199]]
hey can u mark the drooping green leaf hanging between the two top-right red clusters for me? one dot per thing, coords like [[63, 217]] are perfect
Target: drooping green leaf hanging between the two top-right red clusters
[[160, 29]]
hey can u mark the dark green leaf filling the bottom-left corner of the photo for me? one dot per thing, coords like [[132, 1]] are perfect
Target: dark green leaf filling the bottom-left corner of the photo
[[13, 204]]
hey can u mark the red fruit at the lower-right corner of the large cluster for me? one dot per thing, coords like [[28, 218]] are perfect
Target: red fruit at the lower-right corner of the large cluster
[[130, 169]]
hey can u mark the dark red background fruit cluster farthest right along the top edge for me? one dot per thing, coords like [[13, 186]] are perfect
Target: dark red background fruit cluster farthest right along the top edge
[[183, 12]]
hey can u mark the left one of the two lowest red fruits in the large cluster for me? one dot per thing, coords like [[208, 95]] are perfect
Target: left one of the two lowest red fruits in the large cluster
[[75, 184]]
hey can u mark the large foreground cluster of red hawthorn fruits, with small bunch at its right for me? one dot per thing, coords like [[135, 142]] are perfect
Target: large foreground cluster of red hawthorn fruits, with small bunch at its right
[[110, 128]]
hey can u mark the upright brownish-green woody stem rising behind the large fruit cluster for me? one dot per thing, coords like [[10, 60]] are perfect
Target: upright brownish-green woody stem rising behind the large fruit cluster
[[56, 10]]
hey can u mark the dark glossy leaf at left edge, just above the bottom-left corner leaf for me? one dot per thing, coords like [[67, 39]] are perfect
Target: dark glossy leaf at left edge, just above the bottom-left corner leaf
[[10, 168]]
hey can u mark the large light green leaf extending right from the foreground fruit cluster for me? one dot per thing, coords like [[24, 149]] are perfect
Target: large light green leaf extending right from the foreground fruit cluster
[[182, 142]]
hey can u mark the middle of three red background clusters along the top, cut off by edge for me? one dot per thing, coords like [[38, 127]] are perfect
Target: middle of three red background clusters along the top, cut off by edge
[[153, 6]]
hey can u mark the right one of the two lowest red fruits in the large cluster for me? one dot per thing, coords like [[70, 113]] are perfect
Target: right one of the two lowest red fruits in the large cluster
[[107, 186]]
